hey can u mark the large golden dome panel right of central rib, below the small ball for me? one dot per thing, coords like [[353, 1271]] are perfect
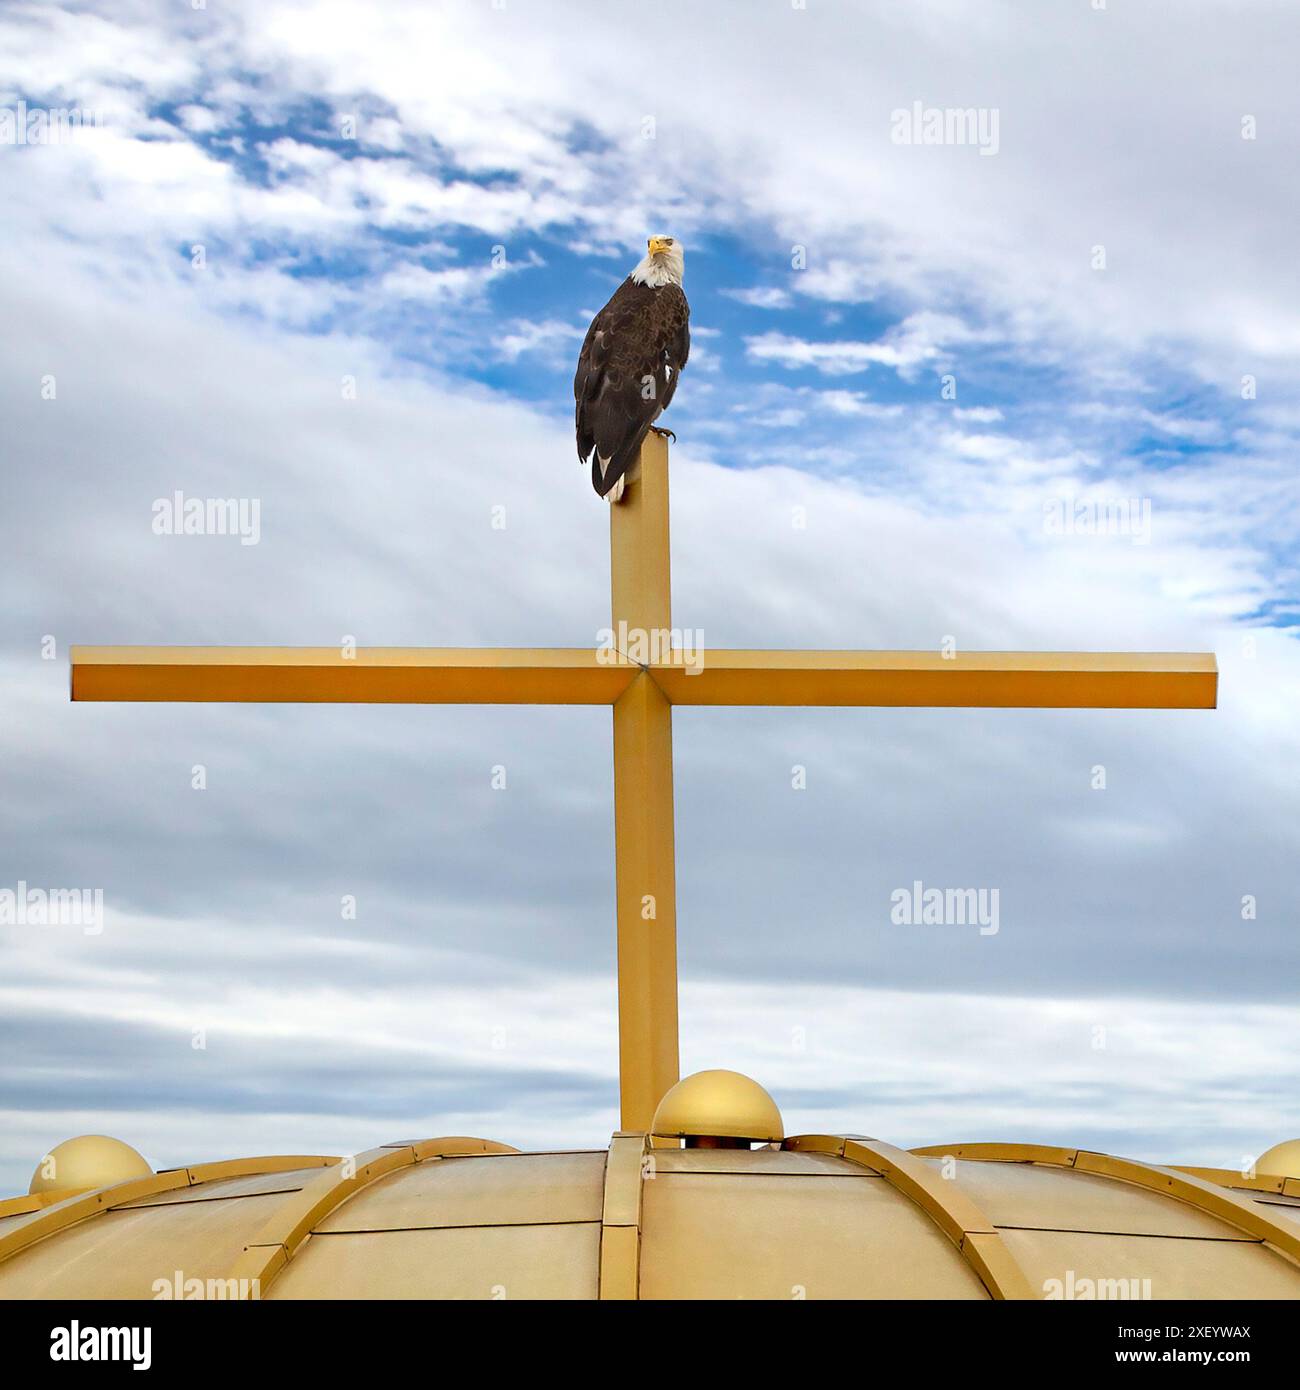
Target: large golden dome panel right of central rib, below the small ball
[[777, 1236]]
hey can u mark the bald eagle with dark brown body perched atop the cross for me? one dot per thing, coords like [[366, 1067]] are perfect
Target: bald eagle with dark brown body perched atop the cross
[[629, 366]]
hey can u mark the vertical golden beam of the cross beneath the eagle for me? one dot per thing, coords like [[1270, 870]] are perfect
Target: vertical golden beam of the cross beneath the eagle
[[646, 876]]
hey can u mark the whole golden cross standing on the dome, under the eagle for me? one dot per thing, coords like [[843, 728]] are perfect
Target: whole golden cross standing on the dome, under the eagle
[[643, 696]]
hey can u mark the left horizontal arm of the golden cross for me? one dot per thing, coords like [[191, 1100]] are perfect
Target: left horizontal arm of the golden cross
[[368, 676]]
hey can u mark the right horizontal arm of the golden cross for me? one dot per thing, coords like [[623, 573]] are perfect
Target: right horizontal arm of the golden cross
[[1011, 680]]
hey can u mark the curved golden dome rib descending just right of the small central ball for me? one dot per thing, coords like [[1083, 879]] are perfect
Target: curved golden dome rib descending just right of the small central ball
[[977, 1239]]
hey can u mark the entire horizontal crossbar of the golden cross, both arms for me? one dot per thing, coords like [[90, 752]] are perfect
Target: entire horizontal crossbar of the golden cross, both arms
[[579, 676]]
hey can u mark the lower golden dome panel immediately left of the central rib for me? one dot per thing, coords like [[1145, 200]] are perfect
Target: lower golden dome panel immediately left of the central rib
[[472, 1263]]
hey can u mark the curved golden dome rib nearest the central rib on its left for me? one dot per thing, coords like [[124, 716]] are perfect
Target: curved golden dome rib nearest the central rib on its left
[[287, 1229]]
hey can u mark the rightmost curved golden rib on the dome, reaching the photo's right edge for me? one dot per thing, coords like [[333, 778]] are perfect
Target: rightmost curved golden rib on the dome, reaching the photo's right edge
[[1241, 1213]]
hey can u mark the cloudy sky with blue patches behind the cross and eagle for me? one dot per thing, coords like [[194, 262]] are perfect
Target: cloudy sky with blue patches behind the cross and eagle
[[337, 259]]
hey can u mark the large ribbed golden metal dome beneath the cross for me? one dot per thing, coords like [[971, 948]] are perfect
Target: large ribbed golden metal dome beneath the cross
[[814, 1217]]
